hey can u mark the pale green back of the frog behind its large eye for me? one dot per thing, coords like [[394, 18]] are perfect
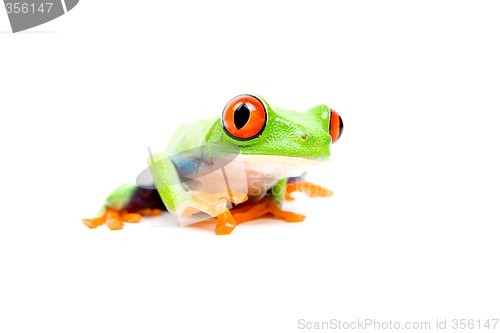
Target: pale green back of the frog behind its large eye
[[190, 135]]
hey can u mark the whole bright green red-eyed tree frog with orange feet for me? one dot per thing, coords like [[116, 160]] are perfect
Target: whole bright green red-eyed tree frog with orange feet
[[276, 146]]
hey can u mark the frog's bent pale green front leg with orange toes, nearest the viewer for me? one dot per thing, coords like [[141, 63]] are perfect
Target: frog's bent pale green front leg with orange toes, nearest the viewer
[[180, 201]]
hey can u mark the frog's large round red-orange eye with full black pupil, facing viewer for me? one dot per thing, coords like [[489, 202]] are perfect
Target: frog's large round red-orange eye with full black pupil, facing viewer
[[244, 117]]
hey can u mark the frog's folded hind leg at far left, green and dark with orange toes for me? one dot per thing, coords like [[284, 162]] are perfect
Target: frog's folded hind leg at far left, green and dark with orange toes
[[129, 203]]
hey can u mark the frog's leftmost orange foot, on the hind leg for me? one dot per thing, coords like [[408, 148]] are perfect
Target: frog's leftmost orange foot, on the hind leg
[[114, 218]]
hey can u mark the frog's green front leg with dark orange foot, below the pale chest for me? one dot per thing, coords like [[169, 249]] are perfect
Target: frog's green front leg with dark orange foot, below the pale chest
[[270, 204]]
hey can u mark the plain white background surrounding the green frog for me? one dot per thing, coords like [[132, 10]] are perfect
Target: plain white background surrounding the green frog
[[412, 232]]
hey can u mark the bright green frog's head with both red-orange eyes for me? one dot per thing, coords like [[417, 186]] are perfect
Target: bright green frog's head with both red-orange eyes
[[258, 128]]
